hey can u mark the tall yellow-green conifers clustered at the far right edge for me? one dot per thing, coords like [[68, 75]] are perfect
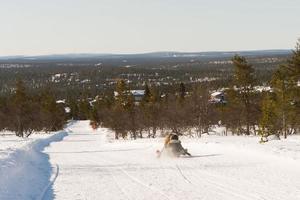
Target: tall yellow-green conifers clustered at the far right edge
[[281, 107]]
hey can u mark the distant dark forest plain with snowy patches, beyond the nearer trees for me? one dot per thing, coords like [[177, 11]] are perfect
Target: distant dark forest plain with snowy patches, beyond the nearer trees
[[70, 78]]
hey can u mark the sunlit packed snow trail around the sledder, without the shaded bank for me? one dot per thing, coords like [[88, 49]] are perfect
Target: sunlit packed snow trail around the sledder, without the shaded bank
[[92, 167]]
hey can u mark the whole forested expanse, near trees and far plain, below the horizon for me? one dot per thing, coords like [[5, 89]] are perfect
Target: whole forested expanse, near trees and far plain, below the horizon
[[177, 94]]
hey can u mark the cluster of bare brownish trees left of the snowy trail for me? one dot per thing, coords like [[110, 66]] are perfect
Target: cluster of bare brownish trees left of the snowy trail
[[24, 113]]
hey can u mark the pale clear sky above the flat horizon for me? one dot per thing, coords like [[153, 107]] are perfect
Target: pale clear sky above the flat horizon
[[39, 27]]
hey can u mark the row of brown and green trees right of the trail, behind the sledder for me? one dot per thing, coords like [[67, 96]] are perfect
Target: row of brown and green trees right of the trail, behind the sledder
[[246, 110]]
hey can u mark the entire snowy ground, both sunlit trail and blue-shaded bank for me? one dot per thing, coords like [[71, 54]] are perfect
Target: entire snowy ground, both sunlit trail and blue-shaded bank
[[81, 163]]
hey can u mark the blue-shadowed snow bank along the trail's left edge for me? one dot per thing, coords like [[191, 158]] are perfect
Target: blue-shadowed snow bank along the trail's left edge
[[26, 172]]
